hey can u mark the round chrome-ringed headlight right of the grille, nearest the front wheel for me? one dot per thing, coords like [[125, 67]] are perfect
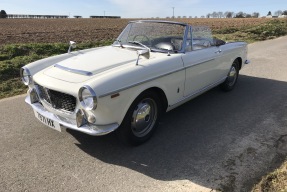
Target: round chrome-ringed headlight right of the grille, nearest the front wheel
[[88, 98]]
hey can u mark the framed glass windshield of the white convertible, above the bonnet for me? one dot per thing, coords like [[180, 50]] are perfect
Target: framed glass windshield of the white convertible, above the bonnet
[[157, 36]]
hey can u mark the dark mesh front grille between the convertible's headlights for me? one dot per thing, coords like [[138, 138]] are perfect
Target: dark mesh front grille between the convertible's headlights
[[57, 100]]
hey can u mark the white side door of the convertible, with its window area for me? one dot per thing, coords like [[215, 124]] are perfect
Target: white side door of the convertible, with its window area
[[202, 66]]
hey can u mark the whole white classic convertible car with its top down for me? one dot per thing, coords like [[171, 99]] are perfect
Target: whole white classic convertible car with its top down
[[153, 67]]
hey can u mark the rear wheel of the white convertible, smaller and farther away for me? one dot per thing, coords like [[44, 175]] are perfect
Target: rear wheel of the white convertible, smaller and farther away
[[232, 77]]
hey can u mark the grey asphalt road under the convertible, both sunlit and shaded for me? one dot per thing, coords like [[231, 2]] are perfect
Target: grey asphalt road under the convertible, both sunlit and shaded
[[219, 140]]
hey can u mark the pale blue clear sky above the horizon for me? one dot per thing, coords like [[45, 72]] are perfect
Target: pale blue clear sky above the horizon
[[139, 8]]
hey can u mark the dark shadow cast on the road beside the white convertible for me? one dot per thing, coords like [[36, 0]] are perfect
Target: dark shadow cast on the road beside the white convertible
[[219, 140]]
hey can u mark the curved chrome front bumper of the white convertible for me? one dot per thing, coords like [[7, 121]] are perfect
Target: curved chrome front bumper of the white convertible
[[95, 130]]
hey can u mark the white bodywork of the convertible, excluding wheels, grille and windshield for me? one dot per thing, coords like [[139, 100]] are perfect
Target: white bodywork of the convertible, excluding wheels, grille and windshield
[[113, 71]]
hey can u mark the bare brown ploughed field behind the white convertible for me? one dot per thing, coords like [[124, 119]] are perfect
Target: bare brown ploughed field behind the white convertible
[[83, 30]]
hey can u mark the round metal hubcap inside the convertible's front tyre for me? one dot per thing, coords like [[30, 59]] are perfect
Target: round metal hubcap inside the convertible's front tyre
[[144, 117]]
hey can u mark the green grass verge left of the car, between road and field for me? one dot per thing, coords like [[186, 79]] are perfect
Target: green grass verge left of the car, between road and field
[[14, 56]]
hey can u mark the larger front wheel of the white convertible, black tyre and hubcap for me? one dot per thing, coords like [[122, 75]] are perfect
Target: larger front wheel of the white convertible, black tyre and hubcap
[[147, 109]]
